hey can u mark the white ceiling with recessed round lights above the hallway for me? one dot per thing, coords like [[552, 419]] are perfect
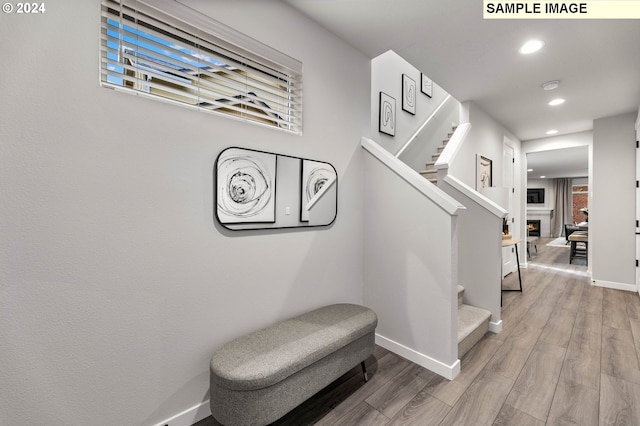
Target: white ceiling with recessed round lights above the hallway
[[596, 61]]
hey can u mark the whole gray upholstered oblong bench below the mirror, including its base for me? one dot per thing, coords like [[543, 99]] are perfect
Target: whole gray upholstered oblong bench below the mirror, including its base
[[258, 378]]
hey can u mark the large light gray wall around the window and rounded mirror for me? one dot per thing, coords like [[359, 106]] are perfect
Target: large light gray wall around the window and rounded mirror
[[116, 284]]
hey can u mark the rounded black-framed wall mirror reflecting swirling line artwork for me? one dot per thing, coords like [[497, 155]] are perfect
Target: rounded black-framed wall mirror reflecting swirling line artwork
[[245, 197]]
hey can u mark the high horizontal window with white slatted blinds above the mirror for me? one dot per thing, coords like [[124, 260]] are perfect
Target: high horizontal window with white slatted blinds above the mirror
[[166, 50]]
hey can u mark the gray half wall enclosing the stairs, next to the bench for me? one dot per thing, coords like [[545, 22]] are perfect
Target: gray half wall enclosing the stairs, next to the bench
[[409, 269]]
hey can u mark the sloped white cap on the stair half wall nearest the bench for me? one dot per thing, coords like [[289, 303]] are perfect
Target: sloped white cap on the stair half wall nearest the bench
[[439, 197]]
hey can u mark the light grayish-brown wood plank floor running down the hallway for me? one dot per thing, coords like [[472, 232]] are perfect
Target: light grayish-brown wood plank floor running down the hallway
[[568, 354]]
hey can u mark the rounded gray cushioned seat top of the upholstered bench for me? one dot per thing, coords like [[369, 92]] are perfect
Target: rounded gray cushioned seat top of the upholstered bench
[[270, 355]]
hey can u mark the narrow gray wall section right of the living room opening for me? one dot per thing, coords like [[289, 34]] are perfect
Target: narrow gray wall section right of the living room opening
[[612, 207]]
